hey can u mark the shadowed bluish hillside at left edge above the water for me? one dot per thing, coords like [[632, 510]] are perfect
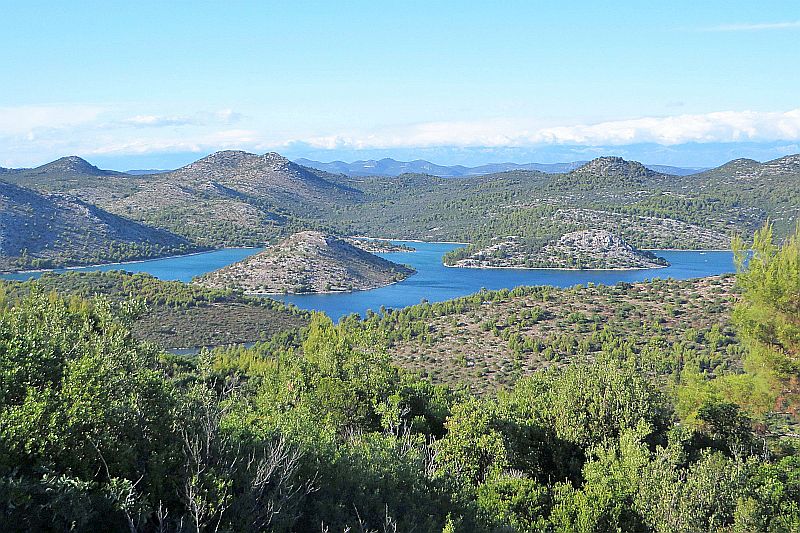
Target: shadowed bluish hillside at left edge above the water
[[39, 231]]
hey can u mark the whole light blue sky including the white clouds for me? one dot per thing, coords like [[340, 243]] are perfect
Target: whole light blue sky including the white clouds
[[154, 84]]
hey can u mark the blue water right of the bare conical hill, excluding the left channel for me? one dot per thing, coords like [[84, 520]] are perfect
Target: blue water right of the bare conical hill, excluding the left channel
[[435, 282]]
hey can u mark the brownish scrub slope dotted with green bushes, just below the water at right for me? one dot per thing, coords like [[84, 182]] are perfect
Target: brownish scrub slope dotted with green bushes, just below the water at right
[[490, 339]]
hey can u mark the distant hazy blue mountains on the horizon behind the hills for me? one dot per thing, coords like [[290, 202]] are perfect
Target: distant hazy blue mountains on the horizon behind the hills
[[391, 167]]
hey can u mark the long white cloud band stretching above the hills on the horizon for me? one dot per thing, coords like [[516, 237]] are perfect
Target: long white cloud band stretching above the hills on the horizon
[[36, 133]]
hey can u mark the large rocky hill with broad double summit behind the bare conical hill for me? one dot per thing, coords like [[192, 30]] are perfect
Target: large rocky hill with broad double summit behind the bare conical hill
[[232, 197]]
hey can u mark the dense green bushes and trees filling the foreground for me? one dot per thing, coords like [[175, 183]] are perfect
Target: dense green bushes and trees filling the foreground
[[322, 433]]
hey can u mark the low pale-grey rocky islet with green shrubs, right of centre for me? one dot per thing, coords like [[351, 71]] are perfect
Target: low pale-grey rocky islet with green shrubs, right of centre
[[577, 250]]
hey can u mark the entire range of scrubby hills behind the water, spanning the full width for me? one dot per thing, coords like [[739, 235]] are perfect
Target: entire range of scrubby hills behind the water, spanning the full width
[[236, 198]]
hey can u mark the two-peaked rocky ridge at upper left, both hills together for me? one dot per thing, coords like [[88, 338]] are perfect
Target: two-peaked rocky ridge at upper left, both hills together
[[226, 198]]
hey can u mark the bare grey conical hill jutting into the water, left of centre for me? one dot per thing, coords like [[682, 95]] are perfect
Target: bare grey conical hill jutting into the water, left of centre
[[309, 261]]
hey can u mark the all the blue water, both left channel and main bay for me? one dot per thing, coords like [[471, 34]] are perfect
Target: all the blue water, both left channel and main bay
[[433, 281]]
